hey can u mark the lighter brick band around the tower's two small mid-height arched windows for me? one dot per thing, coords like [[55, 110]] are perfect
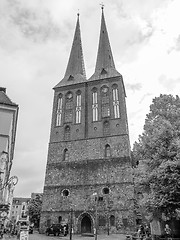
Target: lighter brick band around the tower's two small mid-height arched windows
[[89, 149]]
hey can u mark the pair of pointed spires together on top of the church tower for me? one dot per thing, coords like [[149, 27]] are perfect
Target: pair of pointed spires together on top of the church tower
[[105, 67]]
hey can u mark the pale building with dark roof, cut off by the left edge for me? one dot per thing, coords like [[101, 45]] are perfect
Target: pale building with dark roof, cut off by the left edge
[[8, 124]]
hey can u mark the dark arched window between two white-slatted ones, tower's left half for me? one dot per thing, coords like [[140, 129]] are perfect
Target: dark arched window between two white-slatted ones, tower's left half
[[69, 107]]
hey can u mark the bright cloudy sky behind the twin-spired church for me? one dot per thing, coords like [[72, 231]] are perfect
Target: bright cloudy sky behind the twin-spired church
[[35, 43]]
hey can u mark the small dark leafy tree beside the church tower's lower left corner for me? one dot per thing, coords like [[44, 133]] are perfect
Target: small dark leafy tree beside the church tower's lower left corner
[[34, 210]]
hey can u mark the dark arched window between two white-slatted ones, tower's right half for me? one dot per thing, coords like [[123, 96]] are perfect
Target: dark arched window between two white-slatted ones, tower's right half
[[105, 103]]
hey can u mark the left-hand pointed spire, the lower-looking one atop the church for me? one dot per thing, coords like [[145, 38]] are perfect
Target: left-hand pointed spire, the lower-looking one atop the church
[[75, 71]]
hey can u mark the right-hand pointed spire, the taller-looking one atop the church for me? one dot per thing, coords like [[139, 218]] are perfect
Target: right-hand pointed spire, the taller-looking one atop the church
[[105, 66]]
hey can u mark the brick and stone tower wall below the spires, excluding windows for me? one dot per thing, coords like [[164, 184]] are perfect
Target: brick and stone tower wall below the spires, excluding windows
[[87, 170]]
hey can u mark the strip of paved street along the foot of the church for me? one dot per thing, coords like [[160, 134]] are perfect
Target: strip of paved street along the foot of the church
[[37, 236]]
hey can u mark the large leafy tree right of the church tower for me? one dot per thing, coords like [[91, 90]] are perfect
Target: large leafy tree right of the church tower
[[159, 144]]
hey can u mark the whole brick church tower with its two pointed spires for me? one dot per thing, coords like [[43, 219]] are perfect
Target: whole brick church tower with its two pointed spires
[[88, 181]]
